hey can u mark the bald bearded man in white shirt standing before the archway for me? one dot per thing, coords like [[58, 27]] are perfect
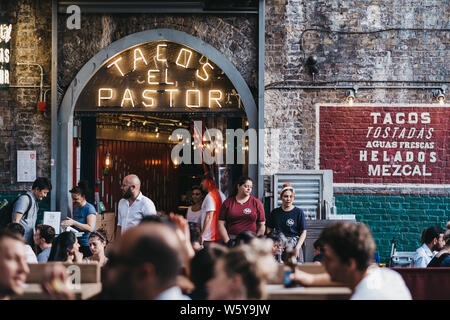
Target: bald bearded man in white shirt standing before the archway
[[133, 206]]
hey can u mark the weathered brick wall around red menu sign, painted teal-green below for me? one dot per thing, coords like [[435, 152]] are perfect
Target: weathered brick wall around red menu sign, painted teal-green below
[[370, 46]]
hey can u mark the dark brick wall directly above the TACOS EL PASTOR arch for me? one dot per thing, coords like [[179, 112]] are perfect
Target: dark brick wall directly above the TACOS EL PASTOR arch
[[235, 36]]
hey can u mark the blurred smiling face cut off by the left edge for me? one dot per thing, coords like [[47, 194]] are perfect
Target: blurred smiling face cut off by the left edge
[[13, 264]]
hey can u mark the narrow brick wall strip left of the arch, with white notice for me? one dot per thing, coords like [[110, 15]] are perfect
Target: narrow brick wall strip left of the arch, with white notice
[[22, 126]]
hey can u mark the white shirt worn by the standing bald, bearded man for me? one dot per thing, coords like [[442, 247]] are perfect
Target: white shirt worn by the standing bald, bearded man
[[130, 216]]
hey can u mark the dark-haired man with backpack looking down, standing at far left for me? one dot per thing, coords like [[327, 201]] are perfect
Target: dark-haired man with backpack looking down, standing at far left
[[41, 187]]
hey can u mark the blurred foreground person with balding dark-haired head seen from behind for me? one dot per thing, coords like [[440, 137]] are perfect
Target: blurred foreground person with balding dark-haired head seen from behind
[[144, 265]]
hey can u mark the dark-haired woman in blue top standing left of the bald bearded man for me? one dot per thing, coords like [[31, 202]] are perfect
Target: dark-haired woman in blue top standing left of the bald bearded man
[[83, 217]]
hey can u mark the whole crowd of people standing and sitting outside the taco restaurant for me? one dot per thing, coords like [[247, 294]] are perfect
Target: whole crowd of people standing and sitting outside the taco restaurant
[[223, 249]]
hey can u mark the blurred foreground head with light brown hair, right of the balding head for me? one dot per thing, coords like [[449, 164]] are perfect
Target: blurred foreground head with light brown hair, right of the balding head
[[242, 272]]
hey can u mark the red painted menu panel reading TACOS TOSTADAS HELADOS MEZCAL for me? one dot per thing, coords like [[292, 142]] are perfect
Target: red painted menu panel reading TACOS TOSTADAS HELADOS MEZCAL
[[385, 144]]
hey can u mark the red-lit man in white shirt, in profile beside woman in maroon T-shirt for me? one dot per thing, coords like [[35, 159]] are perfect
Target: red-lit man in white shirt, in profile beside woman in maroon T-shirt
[[209, 208]]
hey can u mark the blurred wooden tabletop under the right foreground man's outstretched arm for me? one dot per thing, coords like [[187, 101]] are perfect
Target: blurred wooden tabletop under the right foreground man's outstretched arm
[[279, 292]]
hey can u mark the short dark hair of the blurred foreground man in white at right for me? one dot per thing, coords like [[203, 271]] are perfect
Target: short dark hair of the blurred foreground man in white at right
[[350, 241]]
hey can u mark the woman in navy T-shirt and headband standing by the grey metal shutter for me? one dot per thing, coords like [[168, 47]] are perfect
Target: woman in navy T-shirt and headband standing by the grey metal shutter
[[289, 220]]
